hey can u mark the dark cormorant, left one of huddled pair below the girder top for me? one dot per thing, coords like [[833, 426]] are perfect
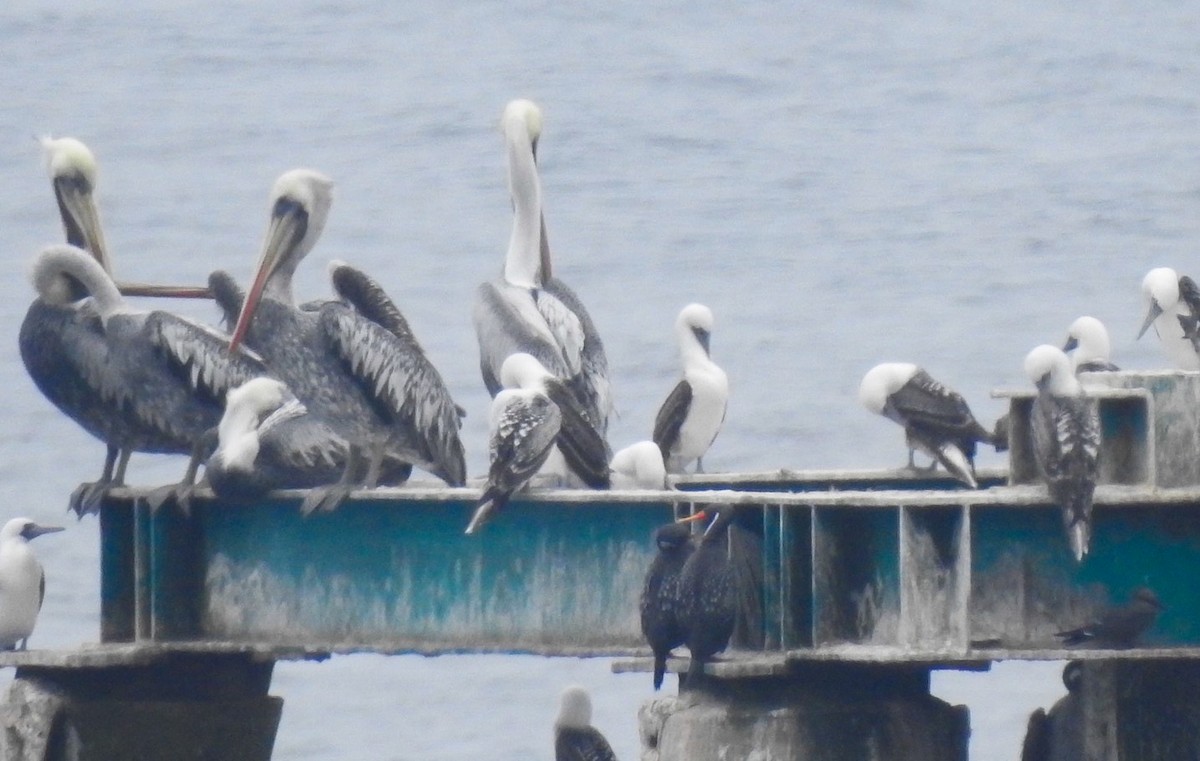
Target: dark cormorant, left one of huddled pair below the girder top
[[661, 606]]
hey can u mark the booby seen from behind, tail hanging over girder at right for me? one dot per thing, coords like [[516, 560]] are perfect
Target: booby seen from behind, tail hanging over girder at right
[[1066, 429]]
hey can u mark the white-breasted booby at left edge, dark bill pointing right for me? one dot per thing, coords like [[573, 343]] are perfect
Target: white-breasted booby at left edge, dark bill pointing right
[[22, 582]]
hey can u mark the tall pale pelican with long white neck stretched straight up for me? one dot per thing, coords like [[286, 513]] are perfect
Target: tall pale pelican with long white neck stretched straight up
[[527, 309]]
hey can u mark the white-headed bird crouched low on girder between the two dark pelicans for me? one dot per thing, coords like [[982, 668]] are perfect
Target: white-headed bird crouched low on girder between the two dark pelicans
[[268, 441]]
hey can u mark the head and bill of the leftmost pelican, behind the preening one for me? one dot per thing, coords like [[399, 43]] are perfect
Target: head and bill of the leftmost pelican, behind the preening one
[[74, 173]]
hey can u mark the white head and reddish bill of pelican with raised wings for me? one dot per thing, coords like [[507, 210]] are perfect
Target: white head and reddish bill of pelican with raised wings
[[301, 202]]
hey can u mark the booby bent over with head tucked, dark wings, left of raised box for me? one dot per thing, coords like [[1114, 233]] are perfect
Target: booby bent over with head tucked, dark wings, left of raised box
[[937, 420]]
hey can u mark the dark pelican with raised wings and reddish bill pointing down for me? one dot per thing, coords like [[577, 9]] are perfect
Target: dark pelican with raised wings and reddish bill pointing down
[[353, 362]]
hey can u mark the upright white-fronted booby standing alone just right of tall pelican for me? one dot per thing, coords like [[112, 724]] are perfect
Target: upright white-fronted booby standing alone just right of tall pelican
[[692, 417]]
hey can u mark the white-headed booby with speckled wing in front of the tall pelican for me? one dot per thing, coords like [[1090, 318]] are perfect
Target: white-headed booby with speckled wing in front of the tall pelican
[[538, 428]]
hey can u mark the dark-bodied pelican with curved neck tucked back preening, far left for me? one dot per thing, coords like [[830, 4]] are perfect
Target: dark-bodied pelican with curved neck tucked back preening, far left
[[139, 381]]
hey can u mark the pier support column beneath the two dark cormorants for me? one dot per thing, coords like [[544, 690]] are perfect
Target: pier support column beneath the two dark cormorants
[[821, 712]]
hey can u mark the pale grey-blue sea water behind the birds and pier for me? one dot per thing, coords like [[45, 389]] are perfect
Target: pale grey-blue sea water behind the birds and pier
[[928, 181]]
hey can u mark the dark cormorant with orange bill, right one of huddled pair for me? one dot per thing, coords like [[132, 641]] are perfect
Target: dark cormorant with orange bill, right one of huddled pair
[[709, 591]]
